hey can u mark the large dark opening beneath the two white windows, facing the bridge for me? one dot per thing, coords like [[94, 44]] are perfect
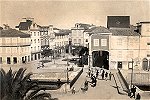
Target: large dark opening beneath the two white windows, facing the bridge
[[100, 59]]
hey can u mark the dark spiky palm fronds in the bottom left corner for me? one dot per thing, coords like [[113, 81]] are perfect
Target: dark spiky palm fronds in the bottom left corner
[[18, 86]]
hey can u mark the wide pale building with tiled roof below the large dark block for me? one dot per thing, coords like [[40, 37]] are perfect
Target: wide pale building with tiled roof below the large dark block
[[124, 48]]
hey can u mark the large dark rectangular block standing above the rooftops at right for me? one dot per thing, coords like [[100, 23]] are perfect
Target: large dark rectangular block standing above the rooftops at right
[[118, 21]]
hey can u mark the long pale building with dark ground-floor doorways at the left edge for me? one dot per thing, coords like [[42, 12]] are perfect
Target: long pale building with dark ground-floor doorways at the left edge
[[14, 46]]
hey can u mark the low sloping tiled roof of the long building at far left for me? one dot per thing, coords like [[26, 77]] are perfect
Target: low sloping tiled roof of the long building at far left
[[13, 33]]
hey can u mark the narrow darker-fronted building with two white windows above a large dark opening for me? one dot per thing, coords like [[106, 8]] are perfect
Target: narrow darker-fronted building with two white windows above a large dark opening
[[99, 47]]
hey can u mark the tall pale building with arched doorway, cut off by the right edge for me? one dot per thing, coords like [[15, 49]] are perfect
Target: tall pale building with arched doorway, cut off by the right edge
[[144, 53]]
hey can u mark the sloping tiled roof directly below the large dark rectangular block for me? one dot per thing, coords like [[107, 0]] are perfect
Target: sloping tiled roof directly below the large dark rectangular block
[[124, 32]]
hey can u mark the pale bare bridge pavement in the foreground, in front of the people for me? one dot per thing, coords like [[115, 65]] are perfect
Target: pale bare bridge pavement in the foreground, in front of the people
[[103, 90]]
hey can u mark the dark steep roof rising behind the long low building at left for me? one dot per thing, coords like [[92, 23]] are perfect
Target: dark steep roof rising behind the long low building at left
[[25, 25]]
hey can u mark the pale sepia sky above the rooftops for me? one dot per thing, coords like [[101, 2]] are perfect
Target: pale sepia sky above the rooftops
[[65, 13]]
